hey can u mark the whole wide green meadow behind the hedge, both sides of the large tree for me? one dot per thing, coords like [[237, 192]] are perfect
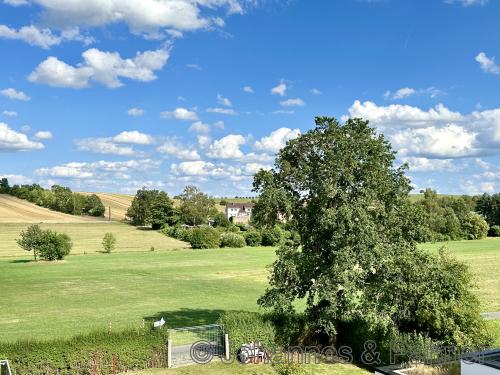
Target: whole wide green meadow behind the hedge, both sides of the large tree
[[186, 287]]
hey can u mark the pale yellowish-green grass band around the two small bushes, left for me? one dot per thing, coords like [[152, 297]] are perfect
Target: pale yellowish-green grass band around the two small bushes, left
[[87, 237]]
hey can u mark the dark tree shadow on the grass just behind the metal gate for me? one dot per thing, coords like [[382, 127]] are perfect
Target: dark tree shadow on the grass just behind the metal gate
[[186, 317]]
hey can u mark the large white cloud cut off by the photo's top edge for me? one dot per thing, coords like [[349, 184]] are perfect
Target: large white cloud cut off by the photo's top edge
[[154, 18]]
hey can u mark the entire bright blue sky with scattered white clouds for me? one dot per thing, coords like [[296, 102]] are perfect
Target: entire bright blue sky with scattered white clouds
[[113, 95]]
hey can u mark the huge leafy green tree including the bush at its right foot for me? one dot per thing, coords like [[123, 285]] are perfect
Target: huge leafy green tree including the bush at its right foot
[[350, 205]]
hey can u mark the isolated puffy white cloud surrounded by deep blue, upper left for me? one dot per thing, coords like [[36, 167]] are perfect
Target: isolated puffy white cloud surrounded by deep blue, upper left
[[101, 67]]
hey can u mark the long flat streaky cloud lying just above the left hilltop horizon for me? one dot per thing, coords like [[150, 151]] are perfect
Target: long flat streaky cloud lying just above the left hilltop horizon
[[98, 169]]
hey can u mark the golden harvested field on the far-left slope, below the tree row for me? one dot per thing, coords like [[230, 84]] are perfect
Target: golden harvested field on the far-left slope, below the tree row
[[14, 210]]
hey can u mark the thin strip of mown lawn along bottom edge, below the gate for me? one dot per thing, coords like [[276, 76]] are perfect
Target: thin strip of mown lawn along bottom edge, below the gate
[[216, 368]]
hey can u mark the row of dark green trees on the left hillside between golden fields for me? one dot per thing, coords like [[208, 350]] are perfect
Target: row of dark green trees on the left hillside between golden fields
[[57, 198]]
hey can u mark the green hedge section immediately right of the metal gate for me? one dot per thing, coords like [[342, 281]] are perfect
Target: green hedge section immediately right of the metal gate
[[244, 327]]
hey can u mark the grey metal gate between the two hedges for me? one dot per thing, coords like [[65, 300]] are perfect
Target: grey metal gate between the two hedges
[[195, 345]]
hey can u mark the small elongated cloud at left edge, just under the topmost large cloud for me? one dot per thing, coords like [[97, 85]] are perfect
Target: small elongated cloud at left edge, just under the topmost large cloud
[[43, 38]]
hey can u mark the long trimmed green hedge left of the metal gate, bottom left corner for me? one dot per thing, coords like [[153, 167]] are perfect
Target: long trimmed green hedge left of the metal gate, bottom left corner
[[134, 349]]
